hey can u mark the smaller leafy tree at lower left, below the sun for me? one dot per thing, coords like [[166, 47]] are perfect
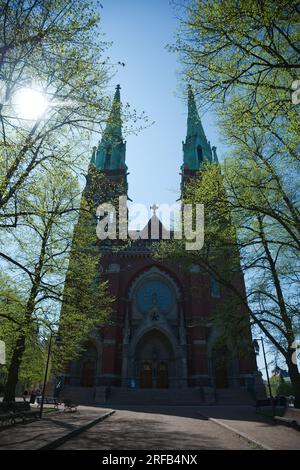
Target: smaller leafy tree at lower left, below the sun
[[40, 272]]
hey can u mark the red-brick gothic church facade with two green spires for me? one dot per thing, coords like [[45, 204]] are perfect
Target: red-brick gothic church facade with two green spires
[[155, 339]]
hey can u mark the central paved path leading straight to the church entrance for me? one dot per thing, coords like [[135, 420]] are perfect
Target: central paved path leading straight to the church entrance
[[154, 427]]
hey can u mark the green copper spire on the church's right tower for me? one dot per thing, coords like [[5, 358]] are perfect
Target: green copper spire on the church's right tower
[[196, 148]]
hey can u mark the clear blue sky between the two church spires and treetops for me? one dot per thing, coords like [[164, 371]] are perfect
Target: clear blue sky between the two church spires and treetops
[[150, 81]]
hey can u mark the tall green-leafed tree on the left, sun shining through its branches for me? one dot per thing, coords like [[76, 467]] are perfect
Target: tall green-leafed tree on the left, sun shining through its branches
[[53, 50]]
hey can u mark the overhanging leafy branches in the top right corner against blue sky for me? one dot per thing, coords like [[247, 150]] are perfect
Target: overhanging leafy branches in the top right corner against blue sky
[[248, 48]]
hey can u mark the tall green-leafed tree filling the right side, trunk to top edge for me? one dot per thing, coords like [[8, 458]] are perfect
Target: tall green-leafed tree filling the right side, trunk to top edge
[[242, 58]]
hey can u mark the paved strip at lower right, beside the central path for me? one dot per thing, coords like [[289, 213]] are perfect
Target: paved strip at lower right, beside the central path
[[246, 421]]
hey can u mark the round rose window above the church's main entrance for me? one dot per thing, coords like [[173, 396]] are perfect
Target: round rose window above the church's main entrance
[[154, 292]]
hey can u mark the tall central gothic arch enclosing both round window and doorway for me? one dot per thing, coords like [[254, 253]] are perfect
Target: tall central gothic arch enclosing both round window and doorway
[[154, 312]]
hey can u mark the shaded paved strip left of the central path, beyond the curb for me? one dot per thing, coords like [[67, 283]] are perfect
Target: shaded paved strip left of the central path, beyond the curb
[[36, 434]]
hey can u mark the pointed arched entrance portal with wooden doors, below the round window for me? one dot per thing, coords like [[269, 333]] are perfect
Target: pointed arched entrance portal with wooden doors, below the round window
[[154, 360]]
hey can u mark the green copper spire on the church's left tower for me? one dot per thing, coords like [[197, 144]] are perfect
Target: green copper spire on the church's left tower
[[110, 154]]
